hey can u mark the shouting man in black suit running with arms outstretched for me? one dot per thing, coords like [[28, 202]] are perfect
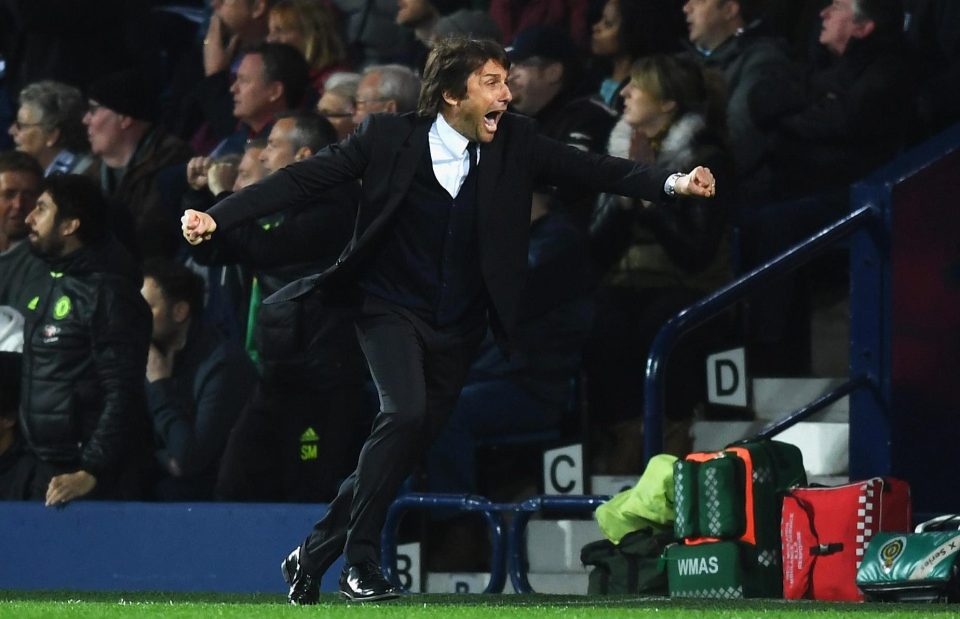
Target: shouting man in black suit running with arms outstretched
[[439, 249]]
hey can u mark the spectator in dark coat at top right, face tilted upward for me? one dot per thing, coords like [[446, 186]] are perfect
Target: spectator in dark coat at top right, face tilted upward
[[855, 110]]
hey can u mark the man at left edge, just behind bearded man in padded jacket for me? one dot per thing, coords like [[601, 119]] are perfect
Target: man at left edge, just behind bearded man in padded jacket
[[22, 274]]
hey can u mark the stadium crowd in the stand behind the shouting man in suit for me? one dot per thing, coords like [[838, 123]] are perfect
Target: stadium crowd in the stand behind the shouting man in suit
[[135, 366]]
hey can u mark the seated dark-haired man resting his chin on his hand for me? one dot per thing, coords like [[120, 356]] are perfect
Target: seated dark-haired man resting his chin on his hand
[[196, 381]]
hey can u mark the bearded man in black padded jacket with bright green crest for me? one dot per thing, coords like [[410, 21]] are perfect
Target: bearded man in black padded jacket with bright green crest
[[83, 402]]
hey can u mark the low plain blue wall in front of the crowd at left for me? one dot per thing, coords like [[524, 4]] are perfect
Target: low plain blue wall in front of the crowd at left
[[105, 546]]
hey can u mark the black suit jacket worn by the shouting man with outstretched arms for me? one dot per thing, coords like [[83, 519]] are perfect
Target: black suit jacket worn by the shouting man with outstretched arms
[[384, 153]]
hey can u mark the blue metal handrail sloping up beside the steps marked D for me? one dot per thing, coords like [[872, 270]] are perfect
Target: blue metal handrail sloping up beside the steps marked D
[[713, 304]]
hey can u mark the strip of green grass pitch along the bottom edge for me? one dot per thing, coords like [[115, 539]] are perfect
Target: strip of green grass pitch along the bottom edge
[[27, 605]]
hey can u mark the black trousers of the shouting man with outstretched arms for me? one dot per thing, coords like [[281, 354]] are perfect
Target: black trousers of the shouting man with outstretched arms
[[418, 370]]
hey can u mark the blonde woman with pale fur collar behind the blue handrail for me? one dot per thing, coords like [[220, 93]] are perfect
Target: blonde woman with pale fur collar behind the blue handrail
[[656, 258]]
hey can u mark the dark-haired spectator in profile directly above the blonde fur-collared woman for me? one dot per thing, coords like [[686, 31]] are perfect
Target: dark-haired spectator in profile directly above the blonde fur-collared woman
[[627, 30]]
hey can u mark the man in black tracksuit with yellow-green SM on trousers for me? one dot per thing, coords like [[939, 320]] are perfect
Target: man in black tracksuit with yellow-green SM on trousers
[[286, 446]]
